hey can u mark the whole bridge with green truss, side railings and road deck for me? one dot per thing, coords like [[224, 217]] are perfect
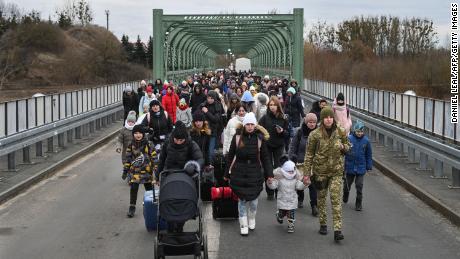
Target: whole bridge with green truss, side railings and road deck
[[62, 197]]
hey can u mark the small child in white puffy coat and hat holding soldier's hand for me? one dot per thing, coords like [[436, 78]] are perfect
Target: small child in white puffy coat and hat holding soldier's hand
[[288, 180]]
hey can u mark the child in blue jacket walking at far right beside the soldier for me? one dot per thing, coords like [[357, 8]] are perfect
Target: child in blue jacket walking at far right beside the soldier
[[357, 161]]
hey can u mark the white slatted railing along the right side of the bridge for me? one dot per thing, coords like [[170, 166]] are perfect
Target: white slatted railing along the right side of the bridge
[[425, 114]]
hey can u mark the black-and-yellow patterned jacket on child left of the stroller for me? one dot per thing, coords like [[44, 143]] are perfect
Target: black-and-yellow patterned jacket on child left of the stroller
[[138, 164]]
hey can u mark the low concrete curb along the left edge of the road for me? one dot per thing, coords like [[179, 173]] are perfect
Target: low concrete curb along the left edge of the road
[[51, 170]]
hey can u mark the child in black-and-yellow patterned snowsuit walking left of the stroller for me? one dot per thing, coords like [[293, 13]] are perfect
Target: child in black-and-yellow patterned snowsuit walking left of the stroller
[[138, 165]]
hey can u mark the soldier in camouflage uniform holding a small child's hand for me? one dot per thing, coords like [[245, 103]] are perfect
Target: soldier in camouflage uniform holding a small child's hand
[[324, 162]]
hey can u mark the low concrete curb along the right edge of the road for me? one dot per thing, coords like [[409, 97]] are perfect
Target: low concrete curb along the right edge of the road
[[426, 197]]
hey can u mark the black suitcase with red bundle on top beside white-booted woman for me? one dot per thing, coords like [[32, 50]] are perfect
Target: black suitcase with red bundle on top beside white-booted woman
[[224, 203]]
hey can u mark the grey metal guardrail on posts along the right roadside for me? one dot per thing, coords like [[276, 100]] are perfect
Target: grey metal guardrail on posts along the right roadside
[[401, 138]]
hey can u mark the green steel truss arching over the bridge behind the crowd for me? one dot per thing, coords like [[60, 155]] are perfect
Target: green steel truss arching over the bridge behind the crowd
[[186, 44]]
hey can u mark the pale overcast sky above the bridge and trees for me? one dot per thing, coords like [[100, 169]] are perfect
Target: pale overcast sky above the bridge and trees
[[134, 17]]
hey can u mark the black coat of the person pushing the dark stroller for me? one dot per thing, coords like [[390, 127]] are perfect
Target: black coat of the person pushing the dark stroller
[[175, 156]]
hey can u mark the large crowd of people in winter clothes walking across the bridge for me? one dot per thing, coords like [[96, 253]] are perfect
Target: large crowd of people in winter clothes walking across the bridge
[[262, 128]]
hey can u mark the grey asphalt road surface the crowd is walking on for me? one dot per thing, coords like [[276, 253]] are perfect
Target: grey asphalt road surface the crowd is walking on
[[81, 213]]
